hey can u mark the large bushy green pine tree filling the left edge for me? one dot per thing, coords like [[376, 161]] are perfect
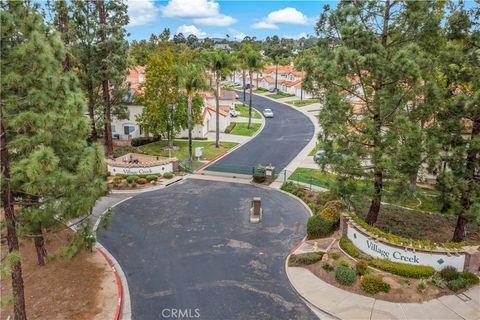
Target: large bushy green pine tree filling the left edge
[[55, 176]]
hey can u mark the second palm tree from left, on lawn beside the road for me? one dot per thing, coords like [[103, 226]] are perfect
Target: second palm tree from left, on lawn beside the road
[[221, 65]]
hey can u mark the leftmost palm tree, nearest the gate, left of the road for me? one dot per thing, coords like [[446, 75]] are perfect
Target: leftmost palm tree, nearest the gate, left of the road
[[192, 80]]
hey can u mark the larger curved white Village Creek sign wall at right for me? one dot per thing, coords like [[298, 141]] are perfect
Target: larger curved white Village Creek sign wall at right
[[382, 250]]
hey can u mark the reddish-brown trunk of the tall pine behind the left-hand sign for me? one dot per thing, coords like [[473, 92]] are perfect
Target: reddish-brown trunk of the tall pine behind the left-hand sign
[[107, 116]]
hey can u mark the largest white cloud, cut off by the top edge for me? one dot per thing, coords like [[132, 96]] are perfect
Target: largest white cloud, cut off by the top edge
[[205, 12]]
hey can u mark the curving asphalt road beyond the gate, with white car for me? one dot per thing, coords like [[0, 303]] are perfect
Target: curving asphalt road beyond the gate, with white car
[[282, 138]]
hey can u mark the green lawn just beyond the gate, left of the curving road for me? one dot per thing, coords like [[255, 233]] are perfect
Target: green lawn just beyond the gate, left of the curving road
[[209, 150]]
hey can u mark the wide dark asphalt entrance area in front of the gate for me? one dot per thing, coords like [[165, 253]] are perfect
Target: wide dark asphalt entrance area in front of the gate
[[190, 247]]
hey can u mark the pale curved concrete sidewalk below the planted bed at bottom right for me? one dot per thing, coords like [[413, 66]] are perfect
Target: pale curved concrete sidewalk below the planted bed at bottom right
[[341, 304]]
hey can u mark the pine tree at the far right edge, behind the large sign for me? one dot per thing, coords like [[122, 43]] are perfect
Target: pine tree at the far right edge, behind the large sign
[[459, 118]]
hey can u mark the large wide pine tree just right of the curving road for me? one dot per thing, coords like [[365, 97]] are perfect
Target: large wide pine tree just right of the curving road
[[369, 54]]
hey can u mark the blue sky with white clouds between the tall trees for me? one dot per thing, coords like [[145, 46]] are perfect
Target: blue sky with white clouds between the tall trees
[[213, 18]]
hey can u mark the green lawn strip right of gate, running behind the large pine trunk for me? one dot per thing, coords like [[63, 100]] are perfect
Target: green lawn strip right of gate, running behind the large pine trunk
[[424, 200]]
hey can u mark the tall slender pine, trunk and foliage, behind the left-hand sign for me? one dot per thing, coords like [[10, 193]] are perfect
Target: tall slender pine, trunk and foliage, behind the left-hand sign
[[112, 50]]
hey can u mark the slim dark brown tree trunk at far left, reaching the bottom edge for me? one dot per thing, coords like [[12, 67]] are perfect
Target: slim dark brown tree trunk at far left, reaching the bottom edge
[[12, 238]]
